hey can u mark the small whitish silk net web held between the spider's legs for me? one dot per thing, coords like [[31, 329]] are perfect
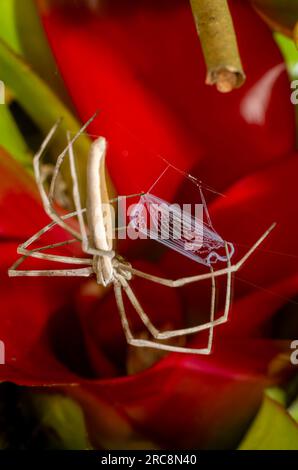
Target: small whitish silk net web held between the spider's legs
[[175, 227]]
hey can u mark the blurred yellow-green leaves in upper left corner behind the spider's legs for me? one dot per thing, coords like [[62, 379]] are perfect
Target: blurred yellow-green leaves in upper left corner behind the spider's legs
[[24, 60]]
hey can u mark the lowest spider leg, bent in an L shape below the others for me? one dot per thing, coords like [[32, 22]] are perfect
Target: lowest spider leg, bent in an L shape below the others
[[147, 343]]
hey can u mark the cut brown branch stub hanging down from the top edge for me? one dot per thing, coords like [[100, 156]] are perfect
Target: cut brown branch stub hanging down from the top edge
[[219, 43]]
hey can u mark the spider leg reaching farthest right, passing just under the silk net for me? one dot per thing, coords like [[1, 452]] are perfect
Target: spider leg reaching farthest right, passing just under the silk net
[[220, 272]]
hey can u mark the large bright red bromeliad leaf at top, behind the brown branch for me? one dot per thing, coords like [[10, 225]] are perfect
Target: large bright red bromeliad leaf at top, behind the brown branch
[[131, 63]]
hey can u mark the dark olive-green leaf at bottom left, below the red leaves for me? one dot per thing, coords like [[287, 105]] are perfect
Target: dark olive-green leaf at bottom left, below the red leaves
[[61, 420]]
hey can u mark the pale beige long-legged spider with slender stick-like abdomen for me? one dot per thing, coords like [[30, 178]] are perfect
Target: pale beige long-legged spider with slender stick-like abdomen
[[110, 269]]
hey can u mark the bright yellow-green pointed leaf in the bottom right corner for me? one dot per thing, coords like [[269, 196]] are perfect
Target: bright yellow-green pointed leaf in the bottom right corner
[[272, 429]]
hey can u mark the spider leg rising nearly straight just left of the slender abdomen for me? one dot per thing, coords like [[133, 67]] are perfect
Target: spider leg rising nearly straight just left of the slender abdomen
[[78, 205]]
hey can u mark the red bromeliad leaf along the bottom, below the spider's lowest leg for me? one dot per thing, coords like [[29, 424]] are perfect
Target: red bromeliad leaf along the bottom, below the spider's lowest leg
[[187, 401]]
